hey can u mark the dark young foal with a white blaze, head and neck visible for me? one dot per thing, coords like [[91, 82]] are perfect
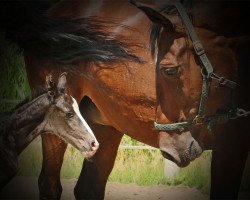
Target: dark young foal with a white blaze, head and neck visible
[[50, 111]]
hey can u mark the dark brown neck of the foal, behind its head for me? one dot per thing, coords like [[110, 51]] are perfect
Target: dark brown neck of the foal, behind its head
[[24, 124]]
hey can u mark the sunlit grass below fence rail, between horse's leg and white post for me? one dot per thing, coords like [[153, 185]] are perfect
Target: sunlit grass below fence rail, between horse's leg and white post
[[143, 167]]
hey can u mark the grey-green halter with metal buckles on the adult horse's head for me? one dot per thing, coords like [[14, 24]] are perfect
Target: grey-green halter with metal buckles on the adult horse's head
[[207, 76]]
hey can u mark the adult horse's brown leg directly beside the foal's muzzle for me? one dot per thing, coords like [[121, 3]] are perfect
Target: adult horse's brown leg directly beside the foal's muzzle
[[93, 178]]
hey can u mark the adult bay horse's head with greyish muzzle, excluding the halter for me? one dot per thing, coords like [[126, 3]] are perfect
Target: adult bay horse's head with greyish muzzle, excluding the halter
[[179, 83]]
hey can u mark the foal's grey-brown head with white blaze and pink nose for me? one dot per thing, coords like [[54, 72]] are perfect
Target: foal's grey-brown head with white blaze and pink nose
[[63, 118]]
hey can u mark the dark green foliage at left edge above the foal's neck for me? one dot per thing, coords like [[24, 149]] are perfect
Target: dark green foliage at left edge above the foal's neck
[[13, 79]]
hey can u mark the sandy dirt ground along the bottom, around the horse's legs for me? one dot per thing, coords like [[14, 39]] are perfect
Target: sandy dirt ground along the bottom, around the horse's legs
[[26, 188]]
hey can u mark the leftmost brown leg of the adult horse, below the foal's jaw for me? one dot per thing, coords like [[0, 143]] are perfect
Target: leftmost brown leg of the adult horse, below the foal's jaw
[[49, 179]]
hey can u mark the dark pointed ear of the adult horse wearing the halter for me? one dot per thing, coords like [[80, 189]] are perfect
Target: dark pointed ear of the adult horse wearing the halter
[[155, 16]]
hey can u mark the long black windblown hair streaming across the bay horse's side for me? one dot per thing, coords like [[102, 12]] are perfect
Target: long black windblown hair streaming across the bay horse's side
[[70, 41]]
